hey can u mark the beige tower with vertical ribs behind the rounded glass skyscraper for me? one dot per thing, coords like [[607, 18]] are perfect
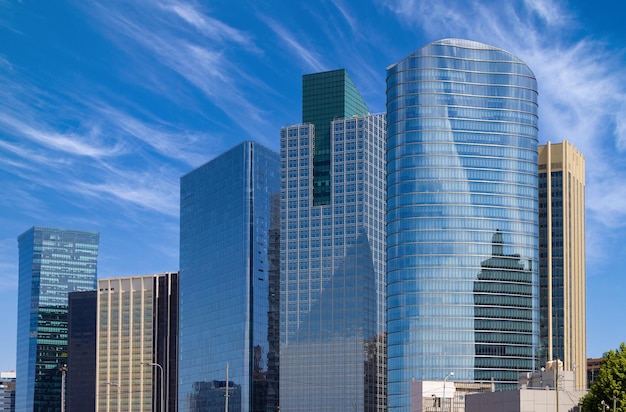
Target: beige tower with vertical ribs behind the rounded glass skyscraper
[[562, 257]]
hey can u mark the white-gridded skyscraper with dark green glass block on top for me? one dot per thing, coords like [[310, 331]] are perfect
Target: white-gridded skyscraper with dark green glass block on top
[[332, 330]]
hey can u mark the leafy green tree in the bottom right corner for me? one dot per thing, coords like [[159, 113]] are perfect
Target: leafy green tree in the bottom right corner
[[611, 383]]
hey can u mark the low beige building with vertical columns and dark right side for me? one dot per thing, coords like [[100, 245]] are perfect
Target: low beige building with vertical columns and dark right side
[[136, 354]]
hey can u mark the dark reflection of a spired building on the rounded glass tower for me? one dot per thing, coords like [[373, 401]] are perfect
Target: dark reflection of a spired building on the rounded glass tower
[[503, 311]]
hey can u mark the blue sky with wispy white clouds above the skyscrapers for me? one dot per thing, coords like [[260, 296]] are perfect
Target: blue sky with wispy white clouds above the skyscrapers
[[105, 104]]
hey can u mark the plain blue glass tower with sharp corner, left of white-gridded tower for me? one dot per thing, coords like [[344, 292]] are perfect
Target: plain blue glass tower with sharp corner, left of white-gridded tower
[[228, 288]]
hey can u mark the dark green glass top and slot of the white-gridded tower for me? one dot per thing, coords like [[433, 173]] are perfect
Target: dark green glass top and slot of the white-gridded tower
[[327, 96]]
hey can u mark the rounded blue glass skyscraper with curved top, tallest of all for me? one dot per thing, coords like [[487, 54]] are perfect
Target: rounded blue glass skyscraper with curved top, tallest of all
[[461, 181]]
